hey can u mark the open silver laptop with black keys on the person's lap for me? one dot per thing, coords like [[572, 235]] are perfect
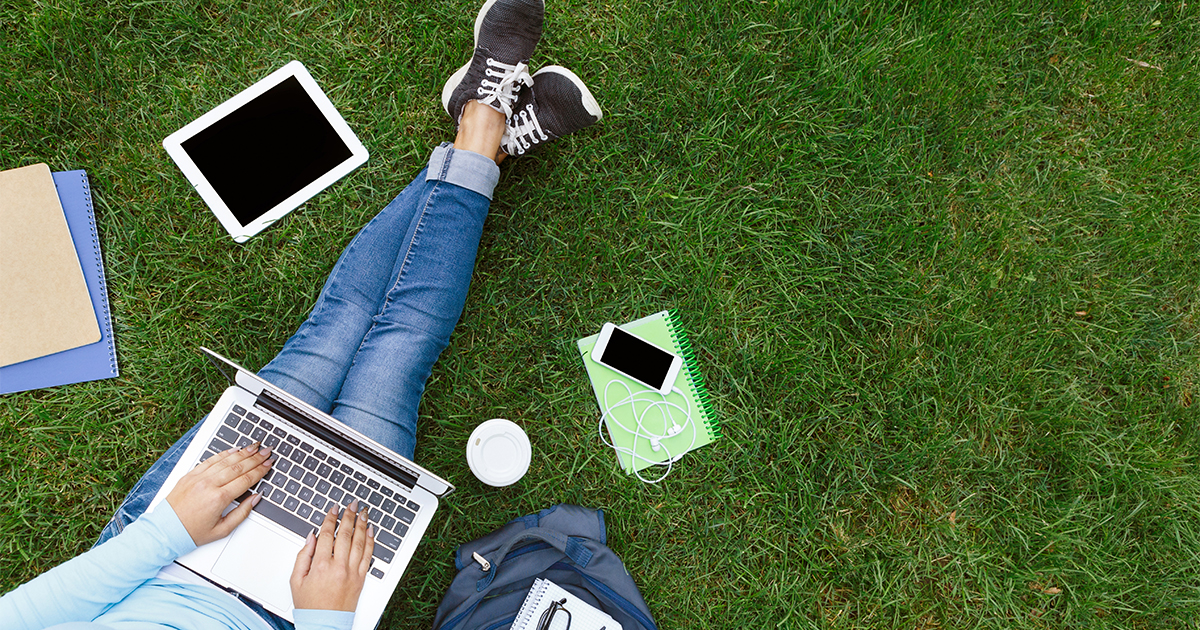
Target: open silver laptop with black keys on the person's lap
[[320, 463]]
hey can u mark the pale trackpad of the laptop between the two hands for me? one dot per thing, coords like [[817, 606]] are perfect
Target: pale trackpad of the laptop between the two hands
[[259, 562]]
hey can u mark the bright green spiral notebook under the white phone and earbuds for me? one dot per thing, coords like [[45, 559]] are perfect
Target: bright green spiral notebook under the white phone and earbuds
[[665, 331]]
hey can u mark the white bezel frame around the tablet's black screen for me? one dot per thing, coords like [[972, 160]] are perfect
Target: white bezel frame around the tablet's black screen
[[173, 145]]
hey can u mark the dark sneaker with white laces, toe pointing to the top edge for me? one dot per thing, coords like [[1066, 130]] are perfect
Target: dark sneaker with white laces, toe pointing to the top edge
[[507, 32]]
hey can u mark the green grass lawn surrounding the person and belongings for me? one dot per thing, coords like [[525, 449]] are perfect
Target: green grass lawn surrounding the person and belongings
[[940, 263]]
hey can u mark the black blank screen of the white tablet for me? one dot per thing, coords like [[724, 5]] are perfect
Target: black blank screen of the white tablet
[[267, 151]]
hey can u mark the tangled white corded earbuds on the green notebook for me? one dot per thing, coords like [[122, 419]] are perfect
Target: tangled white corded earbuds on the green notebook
[[667, 410]]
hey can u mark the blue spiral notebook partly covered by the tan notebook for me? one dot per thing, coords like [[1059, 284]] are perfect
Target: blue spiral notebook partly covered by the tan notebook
[[97, 361]]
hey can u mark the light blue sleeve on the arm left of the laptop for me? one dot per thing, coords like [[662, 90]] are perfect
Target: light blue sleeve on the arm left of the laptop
[[85, 587]]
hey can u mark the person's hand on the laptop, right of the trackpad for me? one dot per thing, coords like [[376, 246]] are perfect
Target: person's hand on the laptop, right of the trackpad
[[331, 569]]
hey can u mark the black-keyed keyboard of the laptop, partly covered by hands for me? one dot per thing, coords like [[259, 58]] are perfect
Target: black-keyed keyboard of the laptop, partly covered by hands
[[307, 481]]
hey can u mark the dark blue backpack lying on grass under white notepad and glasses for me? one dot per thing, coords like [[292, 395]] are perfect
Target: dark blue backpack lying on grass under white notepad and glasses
[[565, 544]]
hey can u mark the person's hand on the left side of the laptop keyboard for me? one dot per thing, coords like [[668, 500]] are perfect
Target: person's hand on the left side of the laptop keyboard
[[203, 494]]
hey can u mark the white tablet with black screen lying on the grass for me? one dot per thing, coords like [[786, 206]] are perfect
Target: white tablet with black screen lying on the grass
[[266, 152]]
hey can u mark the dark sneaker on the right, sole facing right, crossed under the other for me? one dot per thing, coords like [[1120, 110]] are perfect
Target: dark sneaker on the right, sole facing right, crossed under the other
[[560, 104]]
